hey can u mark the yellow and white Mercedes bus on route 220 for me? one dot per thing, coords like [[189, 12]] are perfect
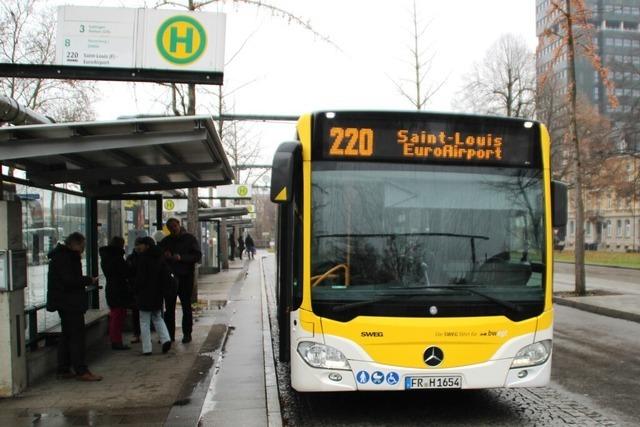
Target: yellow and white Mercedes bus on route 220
[[414, 251]]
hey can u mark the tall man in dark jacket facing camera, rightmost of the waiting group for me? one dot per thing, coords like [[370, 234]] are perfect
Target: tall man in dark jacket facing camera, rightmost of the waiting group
[[182, 251]]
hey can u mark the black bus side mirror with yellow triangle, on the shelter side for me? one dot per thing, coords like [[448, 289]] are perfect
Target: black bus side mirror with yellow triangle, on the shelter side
[[287, 158]]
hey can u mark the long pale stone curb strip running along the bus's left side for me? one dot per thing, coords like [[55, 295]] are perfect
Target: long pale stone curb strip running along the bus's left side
[[274, 413]]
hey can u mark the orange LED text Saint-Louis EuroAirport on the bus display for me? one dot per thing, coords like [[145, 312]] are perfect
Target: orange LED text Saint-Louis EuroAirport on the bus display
[[443, 146]]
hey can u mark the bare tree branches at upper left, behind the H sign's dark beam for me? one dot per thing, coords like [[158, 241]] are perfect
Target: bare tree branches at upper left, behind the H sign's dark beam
[[28, 36]]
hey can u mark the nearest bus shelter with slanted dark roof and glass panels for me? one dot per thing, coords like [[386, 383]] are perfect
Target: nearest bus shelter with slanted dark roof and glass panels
[[99, 166]]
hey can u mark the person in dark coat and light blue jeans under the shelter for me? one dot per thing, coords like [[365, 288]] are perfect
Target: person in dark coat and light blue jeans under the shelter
[[151, 278]]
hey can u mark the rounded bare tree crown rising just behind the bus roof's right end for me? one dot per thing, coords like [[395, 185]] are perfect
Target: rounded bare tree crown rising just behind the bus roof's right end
[[504, 82]]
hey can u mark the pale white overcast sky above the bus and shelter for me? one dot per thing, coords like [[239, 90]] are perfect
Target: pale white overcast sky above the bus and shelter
[[284, 69]]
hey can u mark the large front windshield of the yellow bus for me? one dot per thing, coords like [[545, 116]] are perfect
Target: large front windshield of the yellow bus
[[402, 239]]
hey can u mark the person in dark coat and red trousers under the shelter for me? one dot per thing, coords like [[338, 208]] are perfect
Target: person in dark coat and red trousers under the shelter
[[119, 298]]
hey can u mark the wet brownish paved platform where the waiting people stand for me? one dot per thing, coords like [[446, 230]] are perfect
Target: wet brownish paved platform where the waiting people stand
[[136, 390]]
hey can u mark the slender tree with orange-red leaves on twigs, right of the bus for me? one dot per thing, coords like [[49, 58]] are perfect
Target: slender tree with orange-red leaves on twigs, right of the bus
[[571, 31]]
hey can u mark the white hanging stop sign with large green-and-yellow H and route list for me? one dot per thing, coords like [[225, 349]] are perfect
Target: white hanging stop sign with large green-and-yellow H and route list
[[140, 39]]
